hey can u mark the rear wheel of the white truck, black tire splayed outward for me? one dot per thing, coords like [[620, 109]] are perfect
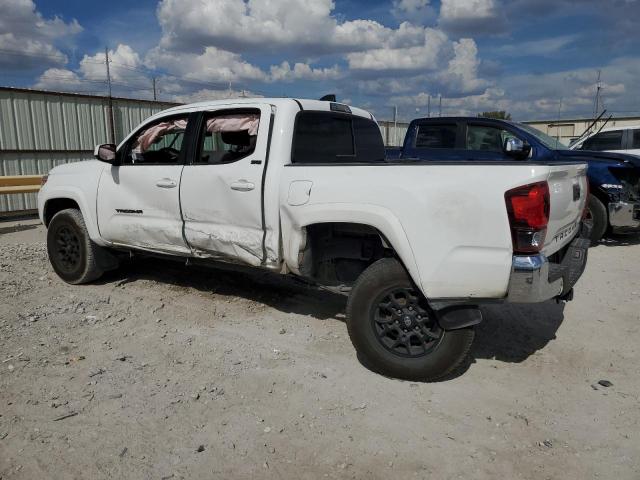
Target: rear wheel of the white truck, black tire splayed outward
[[439, 359]]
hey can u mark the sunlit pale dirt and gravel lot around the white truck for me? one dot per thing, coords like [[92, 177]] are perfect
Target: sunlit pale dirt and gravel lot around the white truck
[[162, 371]]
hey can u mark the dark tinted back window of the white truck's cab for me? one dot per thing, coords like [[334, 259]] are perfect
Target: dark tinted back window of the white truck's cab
[[328, 137]]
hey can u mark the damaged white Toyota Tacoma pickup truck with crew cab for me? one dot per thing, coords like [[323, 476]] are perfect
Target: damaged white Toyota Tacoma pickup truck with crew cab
[[302, 187]]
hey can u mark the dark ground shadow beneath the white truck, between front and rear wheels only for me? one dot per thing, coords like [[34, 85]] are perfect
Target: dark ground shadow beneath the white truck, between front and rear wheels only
[[283, 293]]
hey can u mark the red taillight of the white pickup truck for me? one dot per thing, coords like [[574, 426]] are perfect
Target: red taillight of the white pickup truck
[[528, 209]]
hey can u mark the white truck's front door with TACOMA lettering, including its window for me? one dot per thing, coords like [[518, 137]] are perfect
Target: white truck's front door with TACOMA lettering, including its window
[[139, 203]]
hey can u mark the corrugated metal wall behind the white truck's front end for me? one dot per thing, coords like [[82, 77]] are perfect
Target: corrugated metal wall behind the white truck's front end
[[39, 130]]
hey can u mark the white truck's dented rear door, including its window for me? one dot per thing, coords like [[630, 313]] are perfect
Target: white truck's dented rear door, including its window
[[221, 187]]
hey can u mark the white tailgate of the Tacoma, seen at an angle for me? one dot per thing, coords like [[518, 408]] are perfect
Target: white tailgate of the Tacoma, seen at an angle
[[568, 190]]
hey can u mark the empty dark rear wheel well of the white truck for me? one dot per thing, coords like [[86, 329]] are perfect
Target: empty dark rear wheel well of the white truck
[[336, 254]]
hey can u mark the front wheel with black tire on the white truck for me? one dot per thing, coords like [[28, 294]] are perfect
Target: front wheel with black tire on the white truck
[[72, 254]]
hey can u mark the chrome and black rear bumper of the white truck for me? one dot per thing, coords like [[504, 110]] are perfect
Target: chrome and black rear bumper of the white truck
[[534, 278]]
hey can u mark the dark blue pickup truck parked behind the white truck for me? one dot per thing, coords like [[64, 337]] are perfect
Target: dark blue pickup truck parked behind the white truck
[[614, 178]]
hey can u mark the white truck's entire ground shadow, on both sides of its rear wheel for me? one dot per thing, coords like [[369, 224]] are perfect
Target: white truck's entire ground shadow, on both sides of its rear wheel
[[509, 332]]
